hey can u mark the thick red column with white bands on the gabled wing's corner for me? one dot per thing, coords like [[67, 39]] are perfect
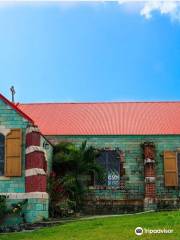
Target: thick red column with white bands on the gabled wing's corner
[[36, 162]]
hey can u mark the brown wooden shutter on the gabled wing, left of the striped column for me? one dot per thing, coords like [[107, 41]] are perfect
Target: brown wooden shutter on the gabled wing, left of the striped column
[[13, 153]]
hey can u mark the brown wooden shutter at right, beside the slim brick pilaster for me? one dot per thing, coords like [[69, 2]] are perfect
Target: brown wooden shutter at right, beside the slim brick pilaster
[[170, 169]]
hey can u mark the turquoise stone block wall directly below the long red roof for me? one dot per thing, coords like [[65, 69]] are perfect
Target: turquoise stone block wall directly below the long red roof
[[134, 162]]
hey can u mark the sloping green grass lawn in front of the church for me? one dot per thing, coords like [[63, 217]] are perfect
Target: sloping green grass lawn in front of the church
[[111, 228]]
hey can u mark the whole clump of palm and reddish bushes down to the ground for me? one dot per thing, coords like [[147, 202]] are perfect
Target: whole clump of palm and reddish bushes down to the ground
[[72, 169]]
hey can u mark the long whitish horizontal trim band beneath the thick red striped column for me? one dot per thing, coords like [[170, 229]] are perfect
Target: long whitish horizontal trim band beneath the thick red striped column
[[41, 195]]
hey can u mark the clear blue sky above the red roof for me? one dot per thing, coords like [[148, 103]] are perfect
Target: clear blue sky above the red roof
[[88, 52]]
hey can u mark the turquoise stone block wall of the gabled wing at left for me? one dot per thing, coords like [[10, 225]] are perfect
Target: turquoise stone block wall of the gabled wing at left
[[36, 209]]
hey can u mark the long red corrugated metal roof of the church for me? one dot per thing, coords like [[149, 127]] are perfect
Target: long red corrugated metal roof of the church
[[114, 118]]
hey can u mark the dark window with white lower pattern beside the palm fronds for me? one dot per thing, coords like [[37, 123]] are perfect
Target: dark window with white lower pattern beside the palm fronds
[[110, 162]]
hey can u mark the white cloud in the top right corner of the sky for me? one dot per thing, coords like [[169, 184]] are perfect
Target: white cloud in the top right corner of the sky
[[170, 8]]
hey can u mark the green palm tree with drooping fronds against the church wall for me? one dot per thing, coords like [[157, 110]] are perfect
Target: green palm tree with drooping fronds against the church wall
[[76, 167]]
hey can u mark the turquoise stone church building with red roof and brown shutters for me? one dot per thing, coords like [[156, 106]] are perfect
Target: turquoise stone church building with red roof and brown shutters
[[139, 144]]
